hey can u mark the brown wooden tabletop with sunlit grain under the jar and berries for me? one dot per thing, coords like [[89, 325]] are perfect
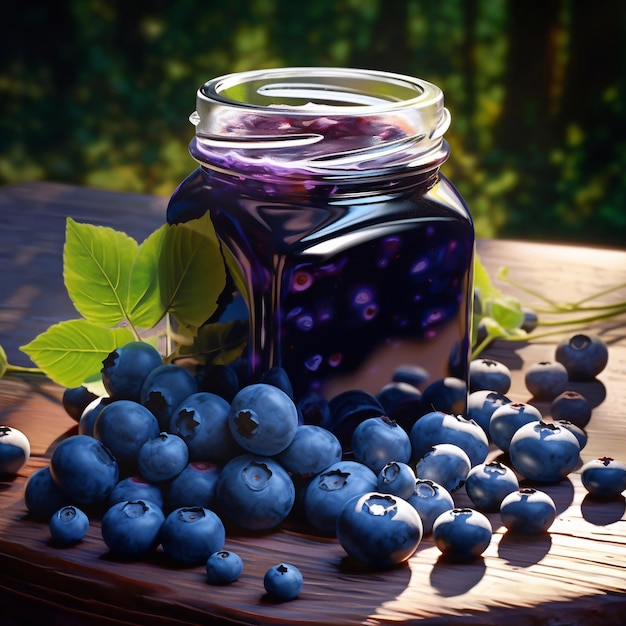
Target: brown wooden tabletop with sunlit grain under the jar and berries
[[574, 575]]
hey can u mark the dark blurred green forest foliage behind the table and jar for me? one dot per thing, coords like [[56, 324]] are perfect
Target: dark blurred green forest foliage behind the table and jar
[[98, 92]]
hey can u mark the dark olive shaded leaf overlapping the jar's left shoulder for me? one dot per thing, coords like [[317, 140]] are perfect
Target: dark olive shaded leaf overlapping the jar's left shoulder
[[191, 272]]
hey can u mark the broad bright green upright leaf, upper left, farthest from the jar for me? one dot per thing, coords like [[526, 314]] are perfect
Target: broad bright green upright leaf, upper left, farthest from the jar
[[96, 268]]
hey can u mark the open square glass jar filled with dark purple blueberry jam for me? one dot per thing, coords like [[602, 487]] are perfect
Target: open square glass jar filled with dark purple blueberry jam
[[352, 252]]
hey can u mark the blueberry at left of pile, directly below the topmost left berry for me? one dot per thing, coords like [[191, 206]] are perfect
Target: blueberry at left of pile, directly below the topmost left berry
[[123, 427]]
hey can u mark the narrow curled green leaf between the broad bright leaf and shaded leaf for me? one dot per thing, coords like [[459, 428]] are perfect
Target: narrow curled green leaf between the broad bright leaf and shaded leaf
[[145, 307]]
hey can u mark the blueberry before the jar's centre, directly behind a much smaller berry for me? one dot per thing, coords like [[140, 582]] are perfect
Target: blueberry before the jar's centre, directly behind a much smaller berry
[[378, 441]]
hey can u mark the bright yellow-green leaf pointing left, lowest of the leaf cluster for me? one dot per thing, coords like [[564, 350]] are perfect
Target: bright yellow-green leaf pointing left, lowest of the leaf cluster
[[72, 351]]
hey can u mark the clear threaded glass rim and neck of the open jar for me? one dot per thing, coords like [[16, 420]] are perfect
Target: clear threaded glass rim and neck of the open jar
[[319, 119]]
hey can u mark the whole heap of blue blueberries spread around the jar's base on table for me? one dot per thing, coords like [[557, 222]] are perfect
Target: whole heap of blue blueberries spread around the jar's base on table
[[179, 457]]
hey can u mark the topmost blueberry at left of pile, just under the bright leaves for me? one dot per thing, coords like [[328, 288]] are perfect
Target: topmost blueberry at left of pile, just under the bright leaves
[[125, 369]]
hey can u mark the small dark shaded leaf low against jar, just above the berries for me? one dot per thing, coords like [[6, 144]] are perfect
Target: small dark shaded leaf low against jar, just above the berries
[[217, 343]]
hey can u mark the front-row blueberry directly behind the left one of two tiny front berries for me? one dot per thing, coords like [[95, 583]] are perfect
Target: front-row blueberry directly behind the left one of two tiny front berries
[[190, 535]]
